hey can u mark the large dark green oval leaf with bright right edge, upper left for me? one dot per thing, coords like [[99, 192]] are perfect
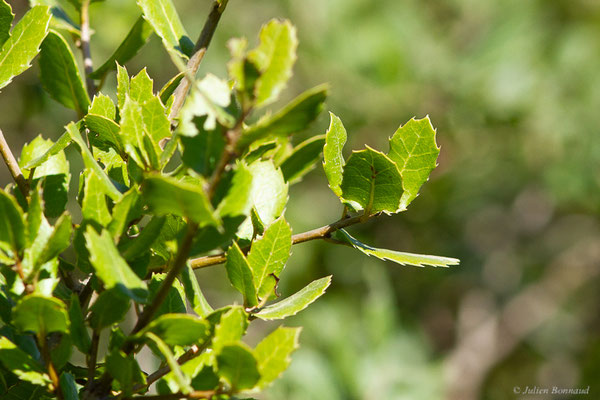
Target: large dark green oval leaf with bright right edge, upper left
[[59, 74]]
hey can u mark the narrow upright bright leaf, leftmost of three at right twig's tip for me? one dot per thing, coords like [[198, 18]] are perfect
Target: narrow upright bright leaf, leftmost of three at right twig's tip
[[333, 159]]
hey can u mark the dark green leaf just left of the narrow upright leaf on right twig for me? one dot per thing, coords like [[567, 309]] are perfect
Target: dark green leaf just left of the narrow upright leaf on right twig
[[303, 159]]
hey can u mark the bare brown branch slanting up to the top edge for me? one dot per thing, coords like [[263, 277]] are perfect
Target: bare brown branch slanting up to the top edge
[[202, 44]]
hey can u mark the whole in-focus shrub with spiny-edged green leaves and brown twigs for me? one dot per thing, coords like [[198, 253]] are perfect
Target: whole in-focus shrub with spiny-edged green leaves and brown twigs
[[160, 194]]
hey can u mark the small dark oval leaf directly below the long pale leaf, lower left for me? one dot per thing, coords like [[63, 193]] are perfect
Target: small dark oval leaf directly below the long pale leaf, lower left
[[108, 309]]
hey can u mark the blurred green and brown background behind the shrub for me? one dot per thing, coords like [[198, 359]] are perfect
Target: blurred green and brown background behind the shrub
[[513, 88]]
